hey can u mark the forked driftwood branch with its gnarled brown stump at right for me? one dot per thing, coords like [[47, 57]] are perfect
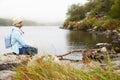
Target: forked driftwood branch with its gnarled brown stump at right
[[98, 55]]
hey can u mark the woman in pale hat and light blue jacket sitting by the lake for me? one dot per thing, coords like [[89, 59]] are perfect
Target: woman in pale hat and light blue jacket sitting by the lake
[[19, 45]]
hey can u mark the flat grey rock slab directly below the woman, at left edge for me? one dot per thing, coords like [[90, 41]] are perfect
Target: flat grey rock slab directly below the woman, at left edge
[[7, 62]]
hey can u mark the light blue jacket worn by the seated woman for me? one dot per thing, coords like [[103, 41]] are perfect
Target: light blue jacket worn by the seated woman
[[17, 40]]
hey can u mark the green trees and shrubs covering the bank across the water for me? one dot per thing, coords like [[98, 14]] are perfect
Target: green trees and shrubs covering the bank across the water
[[99, 15]]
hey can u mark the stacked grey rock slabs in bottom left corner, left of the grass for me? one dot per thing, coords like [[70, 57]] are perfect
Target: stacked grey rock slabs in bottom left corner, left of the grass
[[8, 62]]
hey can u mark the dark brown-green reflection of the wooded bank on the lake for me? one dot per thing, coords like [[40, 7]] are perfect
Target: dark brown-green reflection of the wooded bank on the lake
[[79, 39]]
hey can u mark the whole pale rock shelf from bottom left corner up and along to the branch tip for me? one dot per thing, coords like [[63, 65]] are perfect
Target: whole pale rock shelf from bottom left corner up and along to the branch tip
[[9, 61]]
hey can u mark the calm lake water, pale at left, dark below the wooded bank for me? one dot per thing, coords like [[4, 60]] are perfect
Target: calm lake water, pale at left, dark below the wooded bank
[[52, 40]]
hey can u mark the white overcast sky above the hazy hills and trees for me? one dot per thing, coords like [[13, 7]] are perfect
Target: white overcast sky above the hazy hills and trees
[[37, 10]]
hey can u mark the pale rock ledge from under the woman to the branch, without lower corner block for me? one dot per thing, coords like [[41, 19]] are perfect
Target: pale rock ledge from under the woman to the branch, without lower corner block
[[7, 62]]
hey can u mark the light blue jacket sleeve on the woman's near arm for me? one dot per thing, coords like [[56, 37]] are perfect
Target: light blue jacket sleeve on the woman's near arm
[[20, 39]]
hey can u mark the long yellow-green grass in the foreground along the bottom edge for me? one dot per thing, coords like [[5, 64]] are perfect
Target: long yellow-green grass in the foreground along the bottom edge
[[49, 70]]
